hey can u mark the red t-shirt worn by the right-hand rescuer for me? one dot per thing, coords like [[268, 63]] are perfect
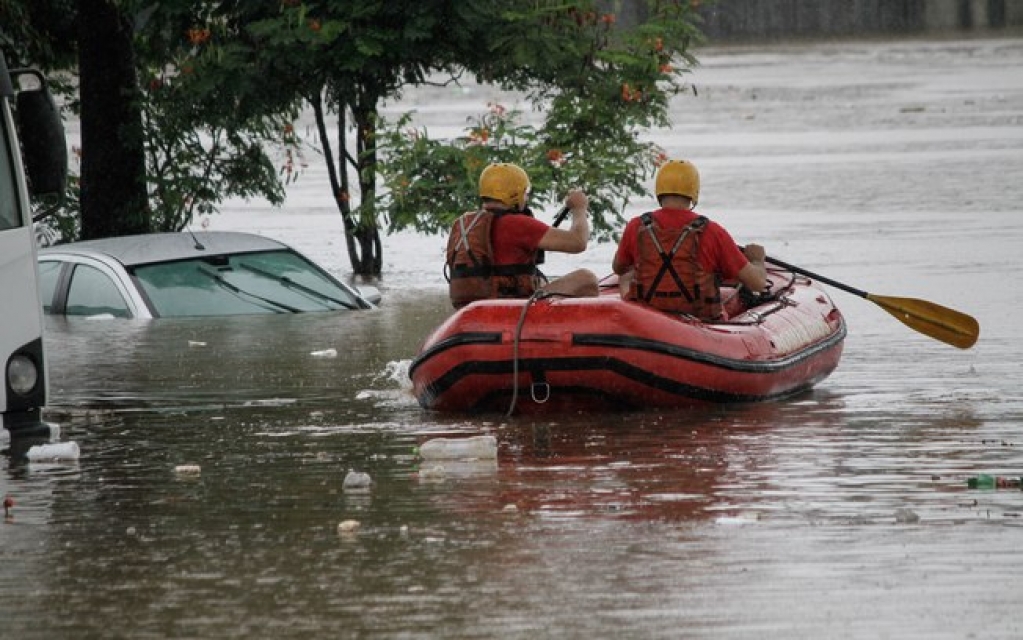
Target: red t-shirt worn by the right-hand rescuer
[[719, 253]]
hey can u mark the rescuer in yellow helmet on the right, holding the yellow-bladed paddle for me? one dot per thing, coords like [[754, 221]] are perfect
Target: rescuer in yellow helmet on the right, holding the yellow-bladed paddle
[[675, 259]]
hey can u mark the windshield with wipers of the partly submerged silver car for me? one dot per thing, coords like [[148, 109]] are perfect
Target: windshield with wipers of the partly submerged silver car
[[279, 282]]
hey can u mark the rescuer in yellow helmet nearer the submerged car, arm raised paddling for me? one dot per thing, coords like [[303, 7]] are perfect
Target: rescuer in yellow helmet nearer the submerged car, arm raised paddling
[[494, 252]]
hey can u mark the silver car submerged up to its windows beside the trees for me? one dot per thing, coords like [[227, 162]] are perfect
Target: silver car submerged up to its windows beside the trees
[[209, 273]]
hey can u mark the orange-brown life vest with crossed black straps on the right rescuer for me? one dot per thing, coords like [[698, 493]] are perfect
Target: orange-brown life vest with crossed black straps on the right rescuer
[[669, 275]]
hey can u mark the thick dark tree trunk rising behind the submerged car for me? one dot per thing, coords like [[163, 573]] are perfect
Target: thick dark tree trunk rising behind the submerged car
[[114, 191]]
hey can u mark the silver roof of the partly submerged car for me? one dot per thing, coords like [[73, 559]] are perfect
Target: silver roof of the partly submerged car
[[156, 248]]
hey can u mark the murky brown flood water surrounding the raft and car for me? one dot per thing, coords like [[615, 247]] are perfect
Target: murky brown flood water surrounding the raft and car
[[894, 167]]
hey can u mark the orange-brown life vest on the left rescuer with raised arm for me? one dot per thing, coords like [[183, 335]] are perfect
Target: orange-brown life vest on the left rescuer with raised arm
[[470, 266]]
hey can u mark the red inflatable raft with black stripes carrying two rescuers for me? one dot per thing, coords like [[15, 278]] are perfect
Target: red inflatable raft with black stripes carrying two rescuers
[[555, 355]]
